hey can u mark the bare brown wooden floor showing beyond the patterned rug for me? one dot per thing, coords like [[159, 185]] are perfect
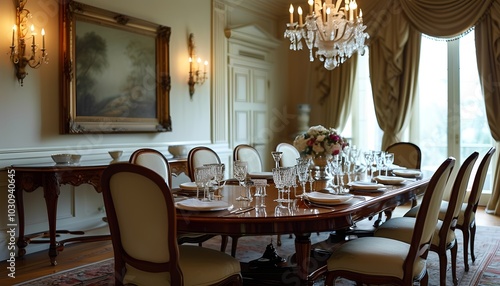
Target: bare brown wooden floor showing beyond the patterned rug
[[37, 264]]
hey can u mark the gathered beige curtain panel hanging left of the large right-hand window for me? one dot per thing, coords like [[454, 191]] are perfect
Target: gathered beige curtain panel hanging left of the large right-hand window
[[394, 60]]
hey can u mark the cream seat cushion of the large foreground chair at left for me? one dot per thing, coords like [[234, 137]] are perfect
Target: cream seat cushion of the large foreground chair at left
[[193, 261]]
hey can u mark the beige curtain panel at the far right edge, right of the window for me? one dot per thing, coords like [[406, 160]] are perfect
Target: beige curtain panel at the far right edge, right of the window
[[488, 61]]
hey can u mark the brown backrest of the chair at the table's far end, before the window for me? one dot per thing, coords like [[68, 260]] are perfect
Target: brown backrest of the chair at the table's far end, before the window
[[406, 154]]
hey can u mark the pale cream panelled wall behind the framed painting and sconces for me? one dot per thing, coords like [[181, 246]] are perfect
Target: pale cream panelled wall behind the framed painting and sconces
[[29, 114]]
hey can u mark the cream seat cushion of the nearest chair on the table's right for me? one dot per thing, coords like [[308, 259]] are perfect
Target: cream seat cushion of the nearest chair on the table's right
[[374, 256]]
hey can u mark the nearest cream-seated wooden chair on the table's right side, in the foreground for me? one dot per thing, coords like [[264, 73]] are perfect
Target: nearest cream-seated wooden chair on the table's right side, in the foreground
[[380, 260]]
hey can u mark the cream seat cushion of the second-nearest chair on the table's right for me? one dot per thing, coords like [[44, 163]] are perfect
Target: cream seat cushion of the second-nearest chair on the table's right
[[401, 228]]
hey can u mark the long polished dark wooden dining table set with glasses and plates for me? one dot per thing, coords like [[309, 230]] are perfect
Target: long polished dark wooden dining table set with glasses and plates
[[299, 217]]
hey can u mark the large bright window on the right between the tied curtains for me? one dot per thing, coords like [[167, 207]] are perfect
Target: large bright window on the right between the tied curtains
[[450, 117]]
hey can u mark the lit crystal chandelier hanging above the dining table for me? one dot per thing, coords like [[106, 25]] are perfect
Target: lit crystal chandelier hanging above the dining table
[[334, 31]]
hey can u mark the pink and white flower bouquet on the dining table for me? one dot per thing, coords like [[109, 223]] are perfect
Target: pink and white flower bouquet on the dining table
[[319, 140]]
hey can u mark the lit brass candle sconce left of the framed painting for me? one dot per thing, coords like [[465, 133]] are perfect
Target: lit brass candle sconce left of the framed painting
[[18, 54]]
